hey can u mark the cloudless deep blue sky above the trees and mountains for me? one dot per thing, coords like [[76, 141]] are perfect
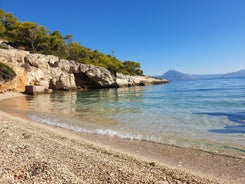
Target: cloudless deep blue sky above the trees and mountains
[[191, 36]]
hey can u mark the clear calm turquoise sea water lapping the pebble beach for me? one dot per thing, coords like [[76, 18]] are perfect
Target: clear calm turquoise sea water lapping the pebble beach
[[203, 114]]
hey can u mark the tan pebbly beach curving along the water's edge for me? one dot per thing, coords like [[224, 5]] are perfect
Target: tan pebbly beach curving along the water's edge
[[176, 164]]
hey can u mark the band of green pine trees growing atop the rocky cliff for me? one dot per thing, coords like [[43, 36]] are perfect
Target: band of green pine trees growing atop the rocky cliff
[[39, 39]]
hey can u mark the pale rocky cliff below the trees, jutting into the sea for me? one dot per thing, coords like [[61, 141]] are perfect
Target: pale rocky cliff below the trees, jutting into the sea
[[51, 72]]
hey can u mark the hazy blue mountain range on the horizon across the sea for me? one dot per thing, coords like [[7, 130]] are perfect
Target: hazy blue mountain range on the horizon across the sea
[[175, 75]]
